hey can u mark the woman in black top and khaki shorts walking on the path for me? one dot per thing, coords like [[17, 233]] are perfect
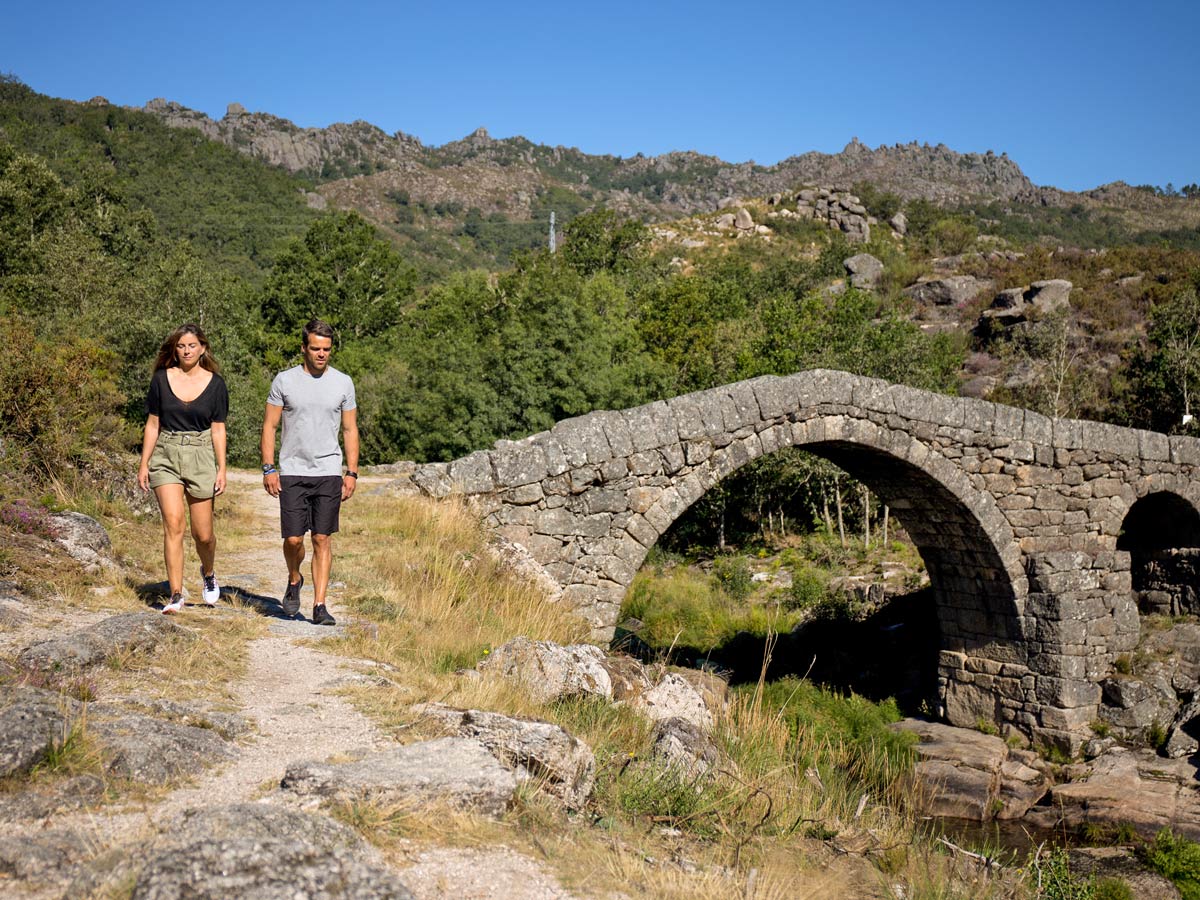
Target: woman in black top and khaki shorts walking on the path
[[184, 453]]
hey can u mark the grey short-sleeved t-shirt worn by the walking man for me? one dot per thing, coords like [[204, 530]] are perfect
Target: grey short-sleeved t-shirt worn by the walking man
[[313, 419]]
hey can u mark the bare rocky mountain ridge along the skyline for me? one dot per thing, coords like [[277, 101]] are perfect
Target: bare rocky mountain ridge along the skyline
[[505, 175]]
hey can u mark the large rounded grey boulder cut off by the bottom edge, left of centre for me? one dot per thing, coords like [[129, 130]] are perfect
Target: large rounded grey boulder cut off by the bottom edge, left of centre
[[248, 850]]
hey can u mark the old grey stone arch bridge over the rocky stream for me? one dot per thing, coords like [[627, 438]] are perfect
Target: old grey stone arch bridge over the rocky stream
[[1031, 529]]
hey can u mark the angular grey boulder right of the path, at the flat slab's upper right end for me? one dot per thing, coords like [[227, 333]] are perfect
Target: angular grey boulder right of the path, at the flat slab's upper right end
[[537, 751]]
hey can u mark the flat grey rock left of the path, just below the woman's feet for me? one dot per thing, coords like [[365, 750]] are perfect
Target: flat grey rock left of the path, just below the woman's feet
[[127, 633]]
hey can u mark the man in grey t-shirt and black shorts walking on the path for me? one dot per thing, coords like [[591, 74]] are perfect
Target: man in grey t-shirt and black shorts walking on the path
[[315, 401]]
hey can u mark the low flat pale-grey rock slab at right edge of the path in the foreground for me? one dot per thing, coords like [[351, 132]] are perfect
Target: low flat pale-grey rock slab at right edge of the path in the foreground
[[458, 771]]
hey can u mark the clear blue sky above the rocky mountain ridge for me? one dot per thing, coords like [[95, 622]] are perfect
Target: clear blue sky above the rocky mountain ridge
[[1079, 94]]
